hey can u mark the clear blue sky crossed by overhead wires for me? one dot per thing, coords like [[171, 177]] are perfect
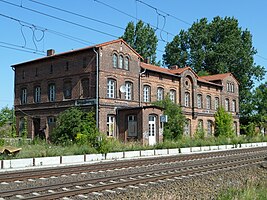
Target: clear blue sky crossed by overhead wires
[[45, 31]]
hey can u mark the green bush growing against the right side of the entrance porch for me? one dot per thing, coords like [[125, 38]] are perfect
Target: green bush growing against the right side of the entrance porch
[[173, 129]]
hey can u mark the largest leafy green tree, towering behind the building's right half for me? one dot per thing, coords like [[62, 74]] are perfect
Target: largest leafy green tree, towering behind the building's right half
[[218, 47]]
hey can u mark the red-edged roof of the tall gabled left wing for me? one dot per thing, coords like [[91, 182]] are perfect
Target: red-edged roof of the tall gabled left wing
[[78, 50]]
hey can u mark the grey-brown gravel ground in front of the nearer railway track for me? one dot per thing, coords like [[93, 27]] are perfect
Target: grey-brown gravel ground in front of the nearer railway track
[[198, 187]]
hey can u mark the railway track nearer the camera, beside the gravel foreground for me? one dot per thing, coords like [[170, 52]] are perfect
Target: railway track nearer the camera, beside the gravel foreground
[[110, 183]]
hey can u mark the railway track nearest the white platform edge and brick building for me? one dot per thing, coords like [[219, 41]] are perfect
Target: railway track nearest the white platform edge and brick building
[[48, 172]]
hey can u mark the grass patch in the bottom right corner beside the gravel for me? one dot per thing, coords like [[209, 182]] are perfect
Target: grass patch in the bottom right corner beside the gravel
[[250, 191]]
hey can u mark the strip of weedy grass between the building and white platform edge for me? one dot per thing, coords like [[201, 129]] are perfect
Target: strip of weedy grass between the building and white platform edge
[[39, 148]]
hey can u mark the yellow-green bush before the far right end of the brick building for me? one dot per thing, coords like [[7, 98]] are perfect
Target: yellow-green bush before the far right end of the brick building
[[223, 124]]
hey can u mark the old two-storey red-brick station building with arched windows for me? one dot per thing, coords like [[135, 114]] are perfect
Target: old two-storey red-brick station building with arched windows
[[111, 80]]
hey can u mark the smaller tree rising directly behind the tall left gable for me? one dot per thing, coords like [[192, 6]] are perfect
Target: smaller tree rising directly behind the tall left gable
[[142, 38]]
